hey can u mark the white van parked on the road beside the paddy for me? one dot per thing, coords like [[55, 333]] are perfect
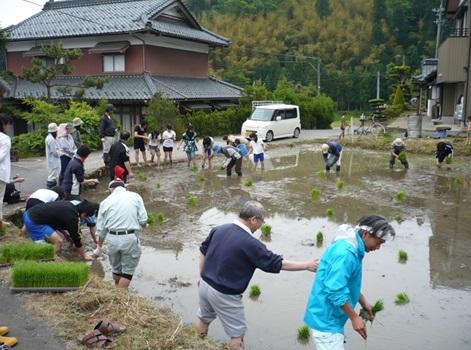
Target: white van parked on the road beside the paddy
[[273, 121]]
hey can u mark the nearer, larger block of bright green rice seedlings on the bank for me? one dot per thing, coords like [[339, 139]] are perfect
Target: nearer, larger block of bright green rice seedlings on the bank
[[29, 274]]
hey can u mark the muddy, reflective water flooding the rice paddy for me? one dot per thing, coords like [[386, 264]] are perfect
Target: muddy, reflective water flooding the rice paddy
[[435, 232]]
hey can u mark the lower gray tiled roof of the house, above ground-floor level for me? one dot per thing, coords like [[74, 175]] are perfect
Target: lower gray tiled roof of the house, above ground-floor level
[[137, 88]]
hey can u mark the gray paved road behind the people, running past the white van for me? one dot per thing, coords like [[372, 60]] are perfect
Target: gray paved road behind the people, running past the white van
[[35, 173]]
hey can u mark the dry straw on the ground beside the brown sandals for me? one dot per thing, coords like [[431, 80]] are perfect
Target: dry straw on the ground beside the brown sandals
[[75, 314]]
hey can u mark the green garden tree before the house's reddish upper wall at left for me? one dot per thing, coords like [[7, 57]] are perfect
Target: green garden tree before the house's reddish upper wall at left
[[54, 63]]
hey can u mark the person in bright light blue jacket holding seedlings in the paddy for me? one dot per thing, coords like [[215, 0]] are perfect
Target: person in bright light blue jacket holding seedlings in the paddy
[[337, 286]]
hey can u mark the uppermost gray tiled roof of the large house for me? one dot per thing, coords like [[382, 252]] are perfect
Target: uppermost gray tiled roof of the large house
[[92, 17]]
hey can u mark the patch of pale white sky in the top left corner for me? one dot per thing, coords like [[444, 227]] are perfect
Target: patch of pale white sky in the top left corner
[[15, 11]]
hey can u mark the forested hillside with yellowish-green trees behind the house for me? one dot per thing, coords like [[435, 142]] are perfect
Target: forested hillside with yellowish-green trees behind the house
[[274, 39]]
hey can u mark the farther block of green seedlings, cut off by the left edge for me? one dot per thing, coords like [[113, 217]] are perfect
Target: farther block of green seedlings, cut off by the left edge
[[26, 251]]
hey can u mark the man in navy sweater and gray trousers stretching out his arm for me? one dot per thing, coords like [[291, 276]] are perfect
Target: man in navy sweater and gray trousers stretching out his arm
[[229, 257]]
